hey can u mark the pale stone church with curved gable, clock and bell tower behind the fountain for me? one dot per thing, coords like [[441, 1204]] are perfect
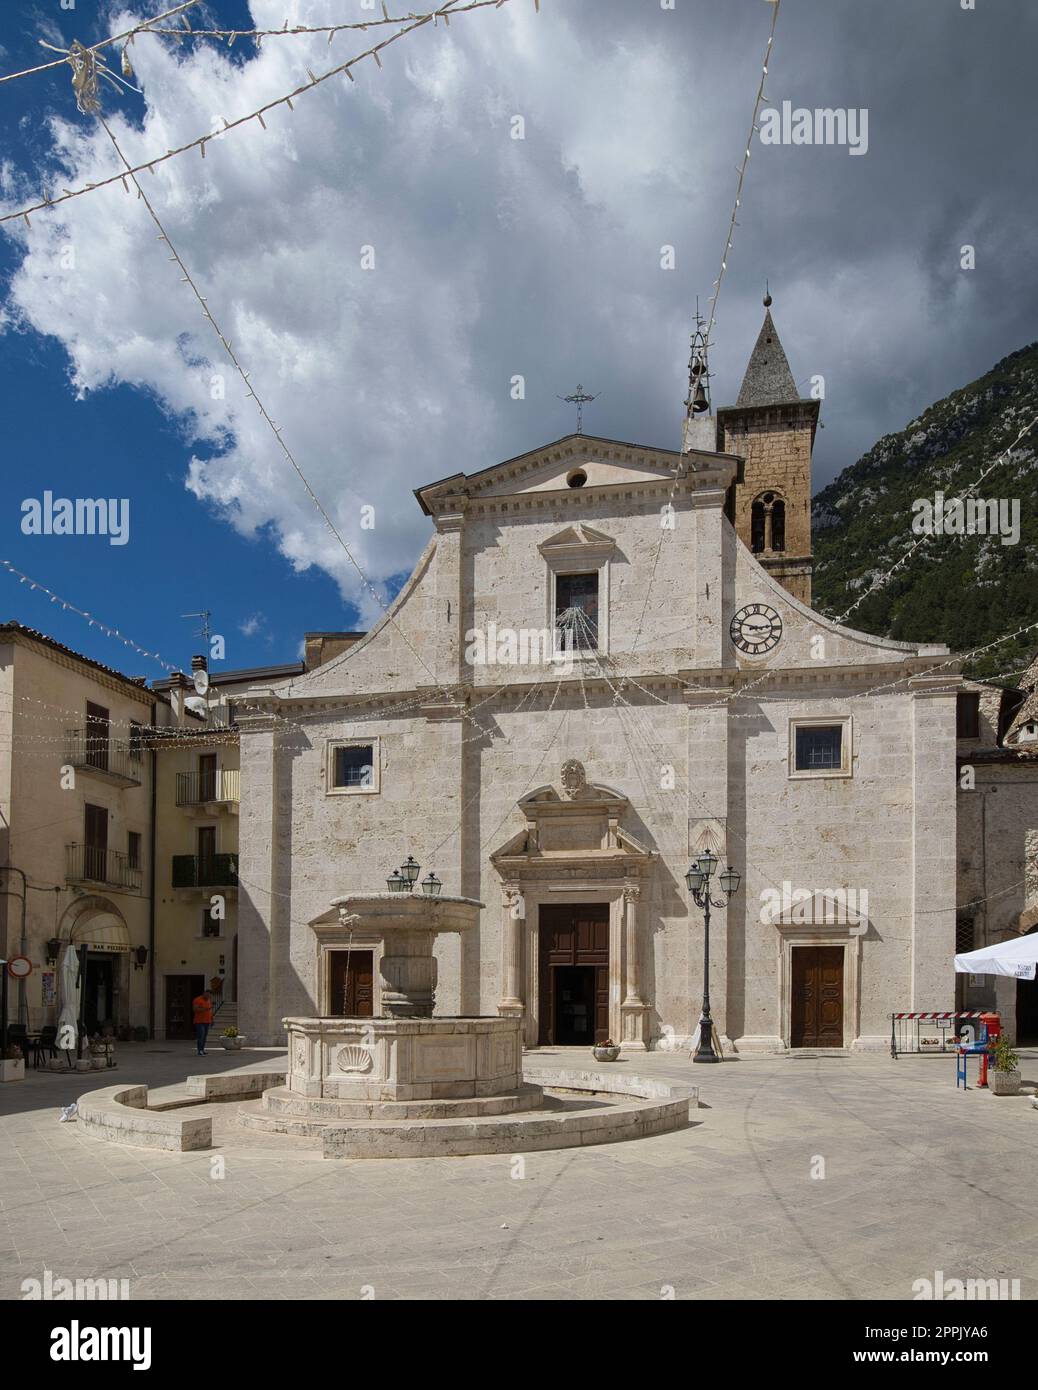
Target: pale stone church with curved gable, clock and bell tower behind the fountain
[[605, 664]]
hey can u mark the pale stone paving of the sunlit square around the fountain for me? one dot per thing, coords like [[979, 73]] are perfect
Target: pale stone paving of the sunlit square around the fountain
[[918, 1178]]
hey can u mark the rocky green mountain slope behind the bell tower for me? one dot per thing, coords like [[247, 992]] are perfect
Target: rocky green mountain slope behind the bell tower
[[962, 590]]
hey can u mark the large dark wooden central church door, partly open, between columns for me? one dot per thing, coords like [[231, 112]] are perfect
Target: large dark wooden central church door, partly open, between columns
[[575, 974]]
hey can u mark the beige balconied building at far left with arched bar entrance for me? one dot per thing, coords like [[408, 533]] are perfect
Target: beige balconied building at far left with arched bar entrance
[[76, 829]]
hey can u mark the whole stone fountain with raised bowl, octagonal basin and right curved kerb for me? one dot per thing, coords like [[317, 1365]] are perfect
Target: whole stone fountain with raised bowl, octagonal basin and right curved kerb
[[412, 1085]]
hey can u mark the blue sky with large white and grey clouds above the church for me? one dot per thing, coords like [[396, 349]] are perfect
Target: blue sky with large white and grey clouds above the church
[[494, 258]]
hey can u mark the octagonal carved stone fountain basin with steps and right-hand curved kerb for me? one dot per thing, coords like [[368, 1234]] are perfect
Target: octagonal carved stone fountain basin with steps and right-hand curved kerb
[[426, 1088]]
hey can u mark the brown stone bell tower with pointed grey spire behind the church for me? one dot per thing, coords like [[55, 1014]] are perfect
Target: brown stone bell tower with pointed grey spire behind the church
[[772, 430]]
